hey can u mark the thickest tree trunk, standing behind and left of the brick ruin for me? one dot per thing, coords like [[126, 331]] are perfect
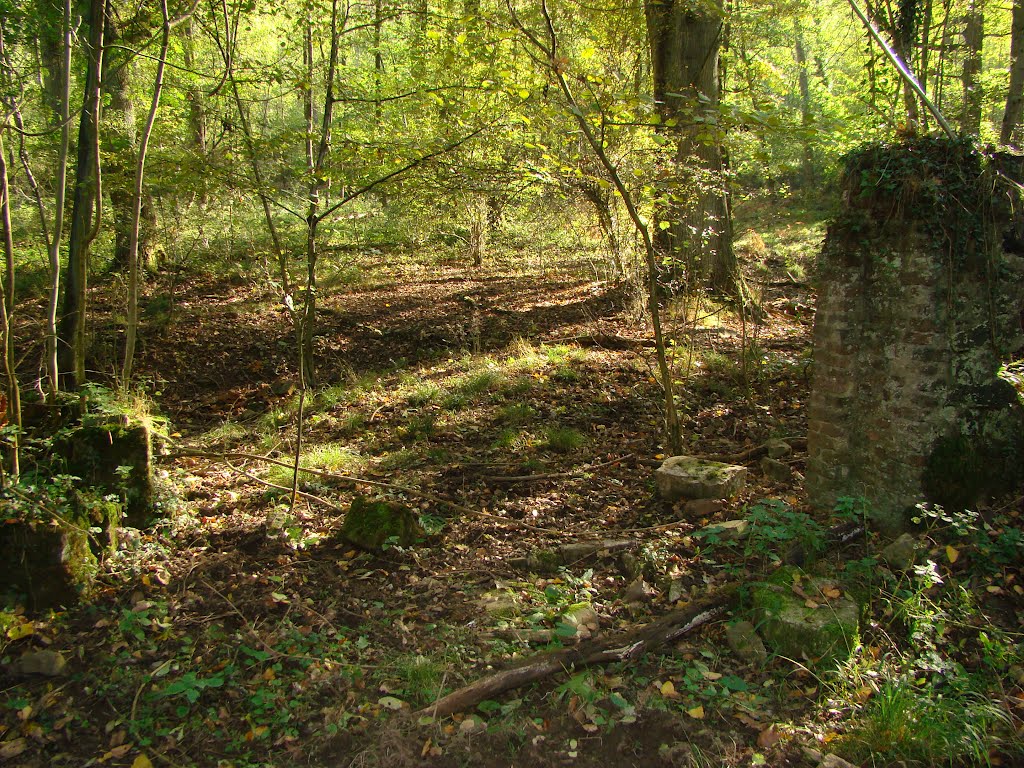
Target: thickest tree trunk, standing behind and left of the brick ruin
[[686, 39]]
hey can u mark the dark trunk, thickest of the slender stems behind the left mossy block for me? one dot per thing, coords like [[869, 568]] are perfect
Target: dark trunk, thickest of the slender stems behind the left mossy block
[[87, 212]]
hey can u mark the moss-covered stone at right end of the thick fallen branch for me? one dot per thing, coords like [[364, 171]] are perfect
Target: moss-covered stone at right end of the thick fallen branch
[[809, 626]]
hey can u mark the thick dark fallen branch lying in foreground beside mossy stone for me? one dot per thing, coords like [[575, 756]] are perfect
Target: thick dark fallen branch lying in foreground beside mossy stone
[[623, 648]]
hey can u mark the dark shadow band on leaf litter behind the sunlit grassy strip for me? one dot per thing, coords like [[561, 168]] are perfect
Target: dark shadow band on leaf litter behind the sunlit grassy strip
[[231, 350]]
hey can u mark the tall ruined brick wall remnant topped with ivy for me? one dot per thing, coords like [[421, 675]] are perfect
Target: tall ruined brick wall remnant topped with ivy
[[921, 301]]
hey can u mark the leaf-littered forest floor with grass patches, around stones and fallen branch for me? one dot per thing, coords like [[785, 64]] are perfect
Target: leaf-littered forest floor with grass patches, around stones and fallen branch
[[518, 409]]
